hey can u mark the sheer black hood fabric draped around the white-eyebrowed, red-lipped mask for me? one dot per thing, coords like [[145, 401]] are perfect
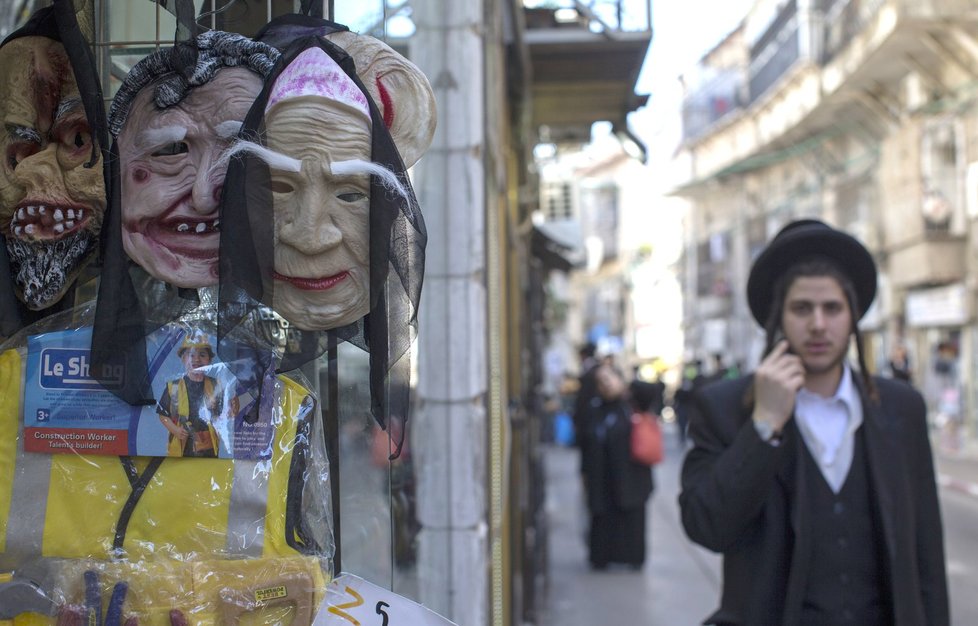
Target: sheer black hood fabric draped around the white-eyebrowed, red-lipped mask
[[397, 242]]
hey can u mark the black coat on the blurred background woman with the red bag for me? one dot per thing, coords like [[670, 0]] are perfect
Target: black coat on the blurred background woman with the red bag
[[612, 479]]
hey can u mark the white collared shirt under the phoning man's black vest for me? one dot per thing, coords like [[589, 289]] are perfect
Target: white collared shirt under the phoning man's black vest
[[828, 426]]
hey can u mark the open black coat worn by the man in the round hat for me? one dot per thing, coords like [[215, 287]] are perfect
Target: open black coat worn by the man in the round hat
[[737, 495]]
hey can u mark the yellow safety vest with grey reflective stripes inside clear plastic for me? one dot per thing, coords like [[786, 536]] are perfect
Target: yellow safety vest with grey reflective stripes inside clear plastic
[[167, 524]]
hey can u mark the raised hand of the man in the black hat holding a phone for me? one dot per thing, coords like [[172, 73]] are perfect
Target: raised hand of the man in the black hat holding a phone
[[776, 381]]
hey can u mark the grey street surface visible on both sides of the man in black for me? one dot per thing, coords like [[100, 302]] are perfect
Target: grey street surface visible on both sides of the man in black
[[680, 582]]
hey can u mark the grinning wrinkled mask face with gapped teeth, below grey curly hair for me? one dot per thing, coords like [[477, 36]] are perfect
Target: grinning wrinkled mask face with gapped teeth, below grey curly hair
[[173, 173]]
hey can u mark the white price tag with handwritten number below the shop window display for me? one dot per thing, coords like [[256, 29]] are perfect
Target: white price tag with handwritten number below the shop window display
[[352, 601]]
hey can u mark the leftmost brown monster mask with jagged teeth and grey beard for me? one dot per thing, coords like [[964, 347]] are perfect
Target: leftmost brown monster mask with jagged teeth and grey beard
[[51, 205]]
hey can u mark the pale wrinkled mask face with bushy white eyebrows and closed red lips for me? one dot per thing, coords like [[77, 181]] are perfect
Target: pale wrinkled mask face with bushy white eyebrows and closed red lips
[[322, 275]]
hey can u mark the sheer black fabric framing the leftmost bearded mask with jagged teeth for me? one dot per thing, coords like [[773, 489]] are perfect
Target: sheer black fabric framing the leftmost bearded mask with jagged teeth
[[58, 22]]
